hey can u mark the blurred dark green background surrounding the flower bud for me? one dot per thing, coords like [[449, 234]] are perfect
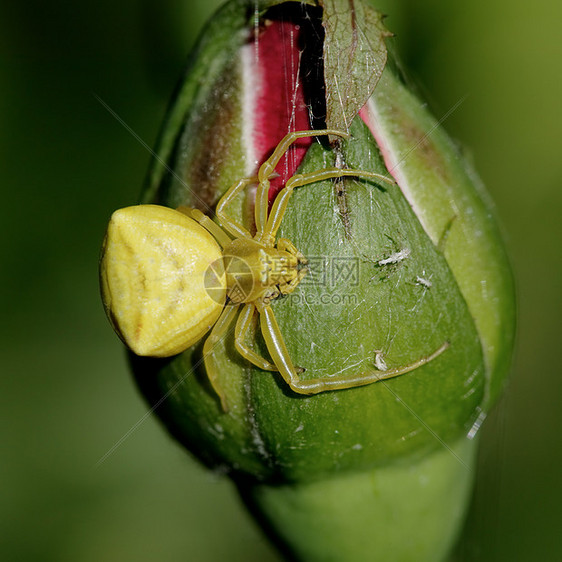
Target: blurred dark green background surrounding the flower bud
[[66, 397]]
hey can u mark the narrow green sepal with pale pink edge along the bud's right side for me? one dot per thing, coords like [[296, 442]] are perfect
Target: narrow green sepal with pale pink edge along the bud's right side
[[458, 215]]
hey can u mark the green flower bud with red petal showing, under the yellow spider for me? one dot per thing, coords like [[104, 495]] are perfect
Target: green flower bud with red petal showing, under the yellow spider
[[406, 274]]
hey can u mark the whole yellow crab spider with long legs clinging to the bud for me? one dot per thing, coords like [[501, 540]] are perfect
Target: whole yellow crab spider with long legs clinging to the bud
[[169, 276]]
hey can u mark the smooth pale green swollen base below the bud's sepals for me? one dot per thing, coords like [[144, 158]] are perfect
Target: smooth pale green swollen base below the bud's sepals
[[409, 513]]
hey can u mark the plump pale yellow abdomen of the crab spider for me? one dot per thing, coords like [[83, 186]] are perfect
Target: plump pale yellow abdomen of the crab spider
[[155, 270]]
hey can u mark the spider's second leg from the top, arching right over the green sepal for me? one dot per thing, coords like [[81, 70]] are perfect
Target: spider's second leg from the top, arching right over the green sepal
[[282, 200]]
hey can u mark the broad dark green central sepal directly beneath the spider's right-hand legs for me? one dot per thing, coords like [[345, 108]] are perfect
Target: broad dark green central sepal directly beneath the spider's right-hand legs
[[273, 433]]
